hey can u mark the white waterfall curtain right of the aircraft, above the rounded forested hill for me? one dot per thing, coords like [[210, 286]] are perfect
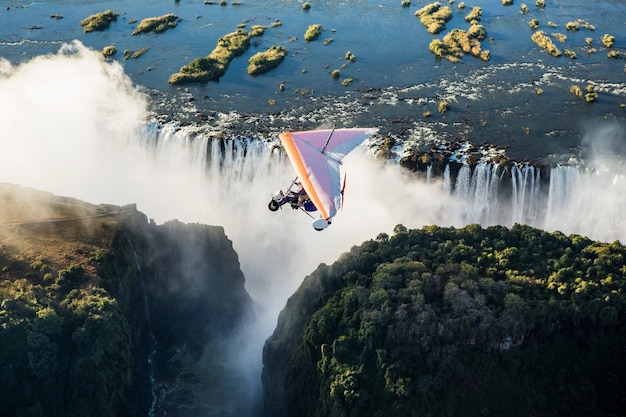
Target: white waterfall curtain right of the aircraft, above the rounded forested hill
[[574, 200]]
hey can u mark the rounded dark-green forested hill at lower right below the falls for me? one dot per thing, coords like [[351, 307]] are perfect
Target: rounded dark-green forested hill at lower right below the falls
[[455, 322]]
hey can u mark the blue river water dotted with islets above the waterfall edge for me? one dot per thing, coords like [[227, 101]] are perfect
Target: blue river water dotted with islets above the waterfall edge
[[519, 99]]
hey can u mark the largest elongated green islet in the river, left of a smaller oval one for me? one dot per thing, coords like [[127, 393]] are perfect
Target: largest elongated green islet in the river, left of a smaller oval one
[[214, 65]]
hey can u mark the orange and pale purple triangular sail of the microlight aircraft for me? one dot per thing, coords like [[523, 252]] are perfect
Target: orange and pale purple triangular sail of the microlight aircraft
[[316, 157]]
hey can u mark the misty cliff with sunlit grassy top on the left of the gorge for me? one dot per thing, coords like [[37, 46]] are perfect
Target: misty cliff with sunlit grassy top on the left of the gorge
[[105, 313]]
